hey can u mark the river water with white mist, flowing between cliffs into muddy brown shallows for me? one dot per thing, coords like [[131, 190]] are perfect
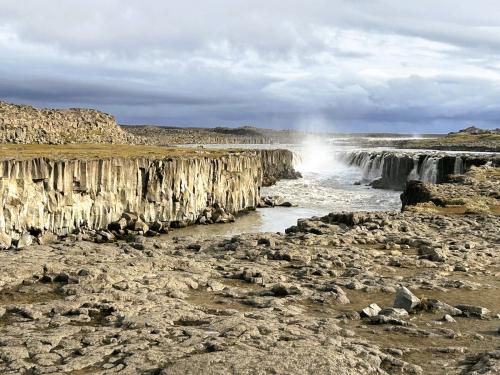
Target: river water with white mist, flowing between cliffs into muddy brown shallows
[[328, 185]]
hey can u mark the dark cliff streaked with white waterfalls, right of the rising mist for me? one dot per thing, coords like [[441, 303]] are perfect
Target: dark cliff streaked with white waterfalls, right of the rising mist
[[392, 169]]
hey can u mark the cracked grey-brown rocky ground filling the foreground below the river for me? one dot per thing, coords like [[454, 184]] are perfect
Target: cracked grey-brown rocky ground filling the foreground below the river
[[300, 302]]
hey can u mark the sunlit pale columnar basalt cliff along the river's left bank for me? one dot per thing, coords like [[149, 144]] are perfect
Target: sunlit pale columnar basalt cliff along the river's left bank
[[61, 196]]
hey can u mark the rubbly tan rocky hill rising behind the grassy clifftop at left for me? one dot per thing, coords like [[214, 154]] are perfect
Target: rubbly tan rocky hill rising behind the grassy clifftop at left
[[25, 124]]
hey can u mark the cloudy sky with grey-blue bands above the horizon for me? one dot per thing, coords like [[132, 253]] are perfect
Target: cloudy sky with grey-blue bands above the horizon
[[325, 65]]
